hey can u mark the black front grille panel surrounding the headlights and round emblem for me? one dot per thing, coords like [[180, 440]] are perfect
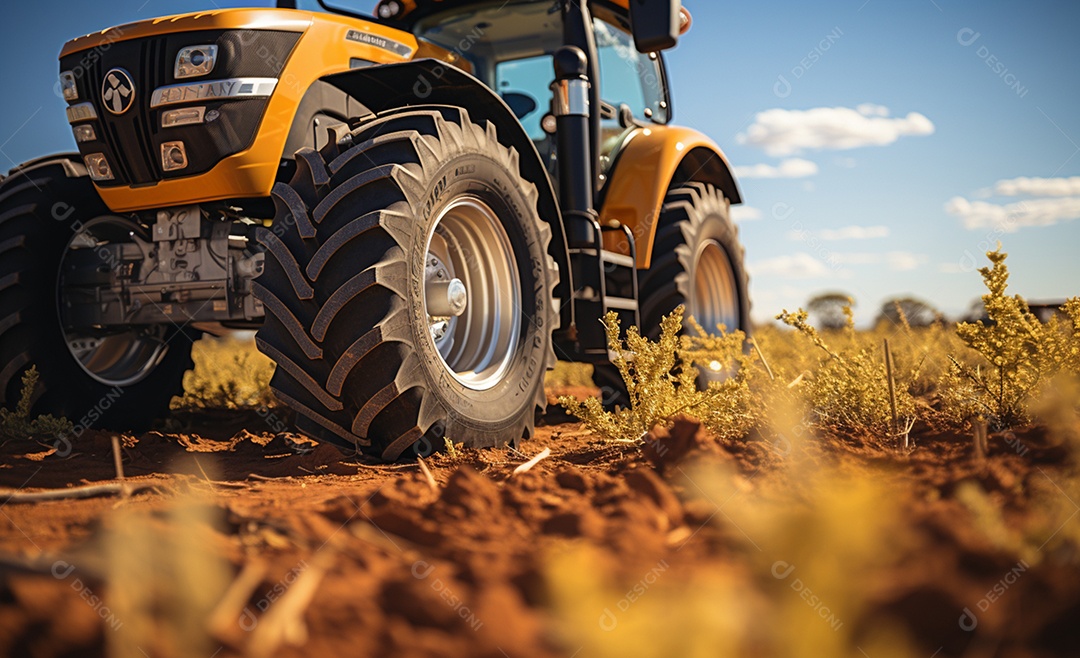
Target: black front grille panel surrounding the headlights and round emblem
[[132, 141]]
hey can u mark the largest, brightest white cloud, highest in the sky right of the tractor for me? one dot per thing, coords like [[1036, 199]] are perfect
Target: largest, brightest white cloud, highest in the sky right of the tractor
[[781, 132]]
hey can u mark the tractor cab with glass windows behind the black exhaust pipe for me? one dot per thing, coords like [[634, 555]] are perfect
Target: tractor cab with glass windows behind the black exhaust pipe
[[510, 48]]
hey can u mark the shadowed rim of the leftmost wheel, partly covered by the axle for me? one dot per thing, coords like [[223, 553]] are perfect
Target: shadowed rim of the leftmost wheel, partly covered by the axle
[[123, 358]]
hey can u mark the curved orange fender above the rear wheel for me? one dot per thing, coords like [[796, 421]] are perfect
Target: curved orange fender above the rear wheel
[[655, 160]]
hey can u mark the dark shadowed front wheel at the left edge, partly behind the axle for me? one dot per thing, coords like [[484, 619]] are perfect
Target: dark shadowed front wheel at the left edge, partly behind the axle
[[123, 380]]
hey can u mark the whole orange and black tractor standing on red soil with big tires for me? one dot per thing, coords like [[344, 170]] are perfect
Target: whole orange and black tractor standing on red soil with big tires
[[417, 212]]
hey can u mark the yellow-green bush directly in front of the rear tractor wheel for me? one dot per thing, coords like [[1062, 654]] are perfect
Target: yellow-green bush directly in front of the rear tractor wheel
[[661, 382]]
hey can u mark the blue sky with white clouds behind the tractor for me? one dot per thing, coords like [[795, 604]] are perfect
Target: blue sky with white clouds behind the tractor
[[902, 138]]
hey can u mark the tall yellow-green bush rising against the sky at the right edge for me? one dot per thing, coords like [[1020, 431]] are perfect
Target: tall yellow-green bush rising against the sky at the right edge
[[1017, 354]]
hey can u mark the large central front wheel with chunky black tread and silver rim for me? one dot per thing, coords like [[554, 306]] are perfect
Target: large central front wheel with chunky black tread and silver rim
[[409, 289]]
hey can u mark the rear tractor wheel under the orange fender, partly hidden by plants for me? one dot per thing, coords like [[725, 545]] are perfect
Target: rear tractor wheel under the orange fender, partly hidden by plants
[[697, 262]]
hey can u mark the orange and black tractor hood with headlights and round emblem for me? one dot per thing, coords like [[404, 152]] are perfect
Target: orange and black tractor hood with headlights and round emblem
[[199, 108]]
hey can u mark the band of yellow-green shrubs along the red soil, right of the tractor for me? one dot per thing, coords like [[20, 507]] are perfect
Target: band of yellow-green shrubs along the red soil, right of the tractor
[[997, 372]]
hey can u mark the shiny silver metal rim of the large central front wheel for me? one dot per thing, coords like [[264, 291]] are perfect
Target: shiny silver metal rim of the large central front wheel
[[468, 244]]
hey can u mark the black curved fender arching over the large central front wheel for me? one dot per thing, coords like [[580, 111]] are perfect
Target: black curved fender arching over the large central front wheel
[[431, 83]]
